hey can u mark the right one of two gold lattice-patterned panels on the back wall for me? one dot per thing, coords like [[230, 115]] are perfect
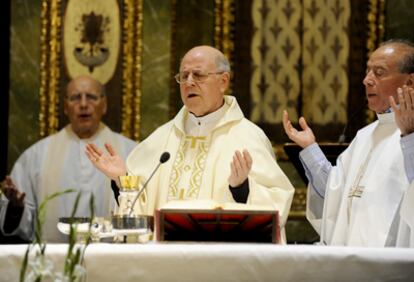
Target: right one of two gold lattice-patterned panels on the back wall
[[325, 61]]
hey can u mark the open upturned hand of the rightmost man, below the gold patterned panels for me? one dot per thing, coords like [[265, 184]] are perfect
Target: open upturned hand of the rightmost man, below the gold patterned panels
[[304, 137]]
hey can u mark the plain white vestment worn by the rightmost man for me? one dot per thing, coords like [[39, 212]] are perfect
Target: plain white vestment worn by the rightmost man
[[364, 189]]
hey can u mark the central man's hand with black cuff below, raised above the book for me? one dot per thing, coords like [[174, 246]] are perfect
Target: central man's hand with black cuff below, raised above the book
[[240, 168]]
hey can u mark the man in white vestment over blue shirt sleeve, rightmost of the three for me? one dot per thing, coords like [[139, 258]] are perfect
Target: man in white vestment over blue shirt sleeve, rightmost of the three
[[358, 201]]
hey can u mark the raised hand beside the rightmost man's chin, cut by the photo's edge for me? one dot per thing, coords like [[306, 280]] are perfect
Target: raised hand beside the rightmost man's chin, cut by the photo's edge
[[404, 115]]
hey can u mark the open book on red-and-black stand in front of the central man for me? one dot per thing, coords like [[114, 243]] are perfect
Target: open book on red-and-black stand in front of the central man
[[207, 220]]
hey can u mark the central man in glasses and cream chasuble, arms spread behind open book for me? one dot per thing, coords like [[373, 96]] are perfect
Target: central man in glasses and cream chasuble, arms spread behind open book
[[216, 153]]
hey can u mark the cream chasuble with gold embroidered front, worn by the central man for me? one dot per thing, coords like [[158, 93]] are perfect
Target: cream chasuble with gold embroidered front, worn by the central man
[[199, 166]]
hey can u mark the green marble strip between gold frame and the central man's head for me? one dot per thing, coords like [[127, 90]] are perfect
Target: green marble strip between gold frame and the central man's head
[[155, 65]]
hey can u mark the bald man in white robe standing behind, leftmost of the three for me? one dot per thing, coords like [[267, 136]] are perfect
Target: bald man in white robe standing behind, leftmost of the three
[[57, 163]]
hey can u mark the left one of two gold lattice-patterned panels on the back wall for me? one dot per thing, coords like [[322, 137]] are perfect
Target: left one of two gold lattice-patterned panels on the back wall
[[276, 50]]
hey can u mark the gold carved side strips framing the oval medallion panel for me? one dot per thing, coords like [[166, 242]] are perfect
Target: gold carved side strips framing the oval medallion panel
[[50, 66]]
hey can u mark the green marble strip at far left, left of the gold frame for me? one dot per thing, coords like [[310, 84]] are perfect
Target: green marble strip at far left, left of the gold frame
[[24, 77]]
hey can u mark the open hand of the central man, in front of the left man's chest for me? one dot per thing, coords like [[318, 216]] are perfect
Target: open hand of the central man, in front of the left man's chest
[[111, 164]]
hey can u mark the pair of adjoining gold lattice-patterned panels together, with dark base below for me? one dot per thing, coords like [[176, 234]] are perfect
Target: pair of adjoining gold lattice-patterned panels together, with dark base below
[[300, 54]]
